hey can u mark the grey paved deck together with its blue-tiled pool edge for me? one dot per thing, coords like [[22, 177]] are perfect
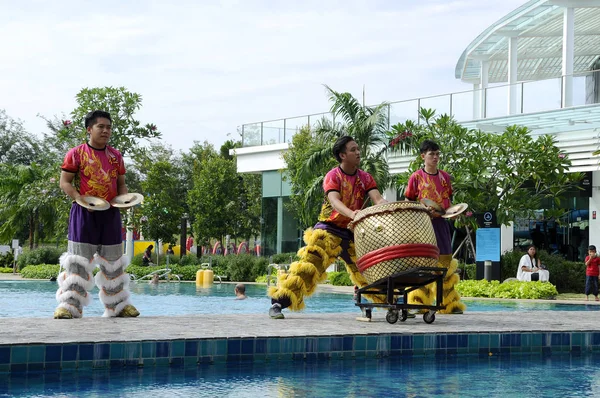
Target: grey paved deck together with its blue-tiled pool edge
[[35, 344]]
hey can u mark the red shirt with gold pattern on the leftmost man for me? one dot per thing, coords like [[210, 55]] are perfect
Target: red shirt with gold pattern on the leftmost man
[[98, 169]]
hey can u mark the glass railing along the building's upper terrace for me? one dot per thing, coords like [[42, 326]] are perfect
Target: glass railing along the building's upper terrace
[[465, 106]]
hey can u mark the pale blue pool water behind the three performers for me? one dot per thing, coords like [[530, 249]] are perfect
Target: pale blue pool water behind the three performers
[[33, 299]]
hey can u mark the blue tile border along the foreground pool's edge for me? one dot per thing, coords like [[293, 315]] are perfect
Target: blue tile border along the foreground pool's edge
[[50, 357]]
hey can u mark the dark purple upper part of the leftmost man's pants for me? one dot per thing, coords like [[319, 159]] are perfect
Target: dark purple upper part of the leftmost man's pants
[[95, 227]]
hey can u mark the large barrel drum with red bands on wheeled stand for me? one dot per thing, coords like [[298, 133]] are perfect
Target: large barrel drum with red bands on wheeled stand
[[393, 237]]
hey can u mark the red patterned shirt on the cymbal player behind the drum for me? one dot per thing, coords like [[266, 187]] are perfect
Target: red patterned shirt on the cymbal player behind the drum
[[436, 187]]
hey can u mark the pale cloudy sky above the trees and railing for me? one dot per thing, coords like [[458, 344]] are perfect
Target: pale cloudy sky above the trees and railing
[[204, 68]]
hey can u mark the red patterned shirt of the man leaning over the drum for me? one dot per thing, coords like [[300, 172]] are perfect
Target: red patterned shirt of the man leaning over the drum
[[353, 190]]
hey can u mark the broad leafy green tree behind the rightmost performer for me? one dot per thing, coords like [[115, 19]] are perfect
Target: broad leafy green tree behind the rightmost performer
[[511, 173]]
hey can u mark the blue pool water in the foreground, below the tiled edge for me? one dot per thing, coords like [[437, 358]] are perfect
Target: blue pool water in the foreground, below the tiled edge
[[459, 376]]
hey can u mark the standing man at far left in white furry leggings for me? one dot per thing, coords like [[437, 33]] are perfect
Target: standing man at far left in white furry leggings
[[94, 236]]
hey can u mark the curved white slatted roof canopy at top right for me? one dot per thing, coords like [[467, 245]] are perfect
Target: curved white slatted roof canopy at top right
[[538, 25]]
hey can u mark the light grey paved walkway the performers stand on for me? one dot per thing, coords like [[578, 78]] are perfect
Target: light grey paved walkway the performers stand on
[[97, 329]]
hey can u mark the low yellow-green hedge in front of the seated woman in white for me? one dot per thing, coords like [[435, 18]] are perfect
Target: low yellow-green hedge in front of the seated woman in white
[[511, 289]]
